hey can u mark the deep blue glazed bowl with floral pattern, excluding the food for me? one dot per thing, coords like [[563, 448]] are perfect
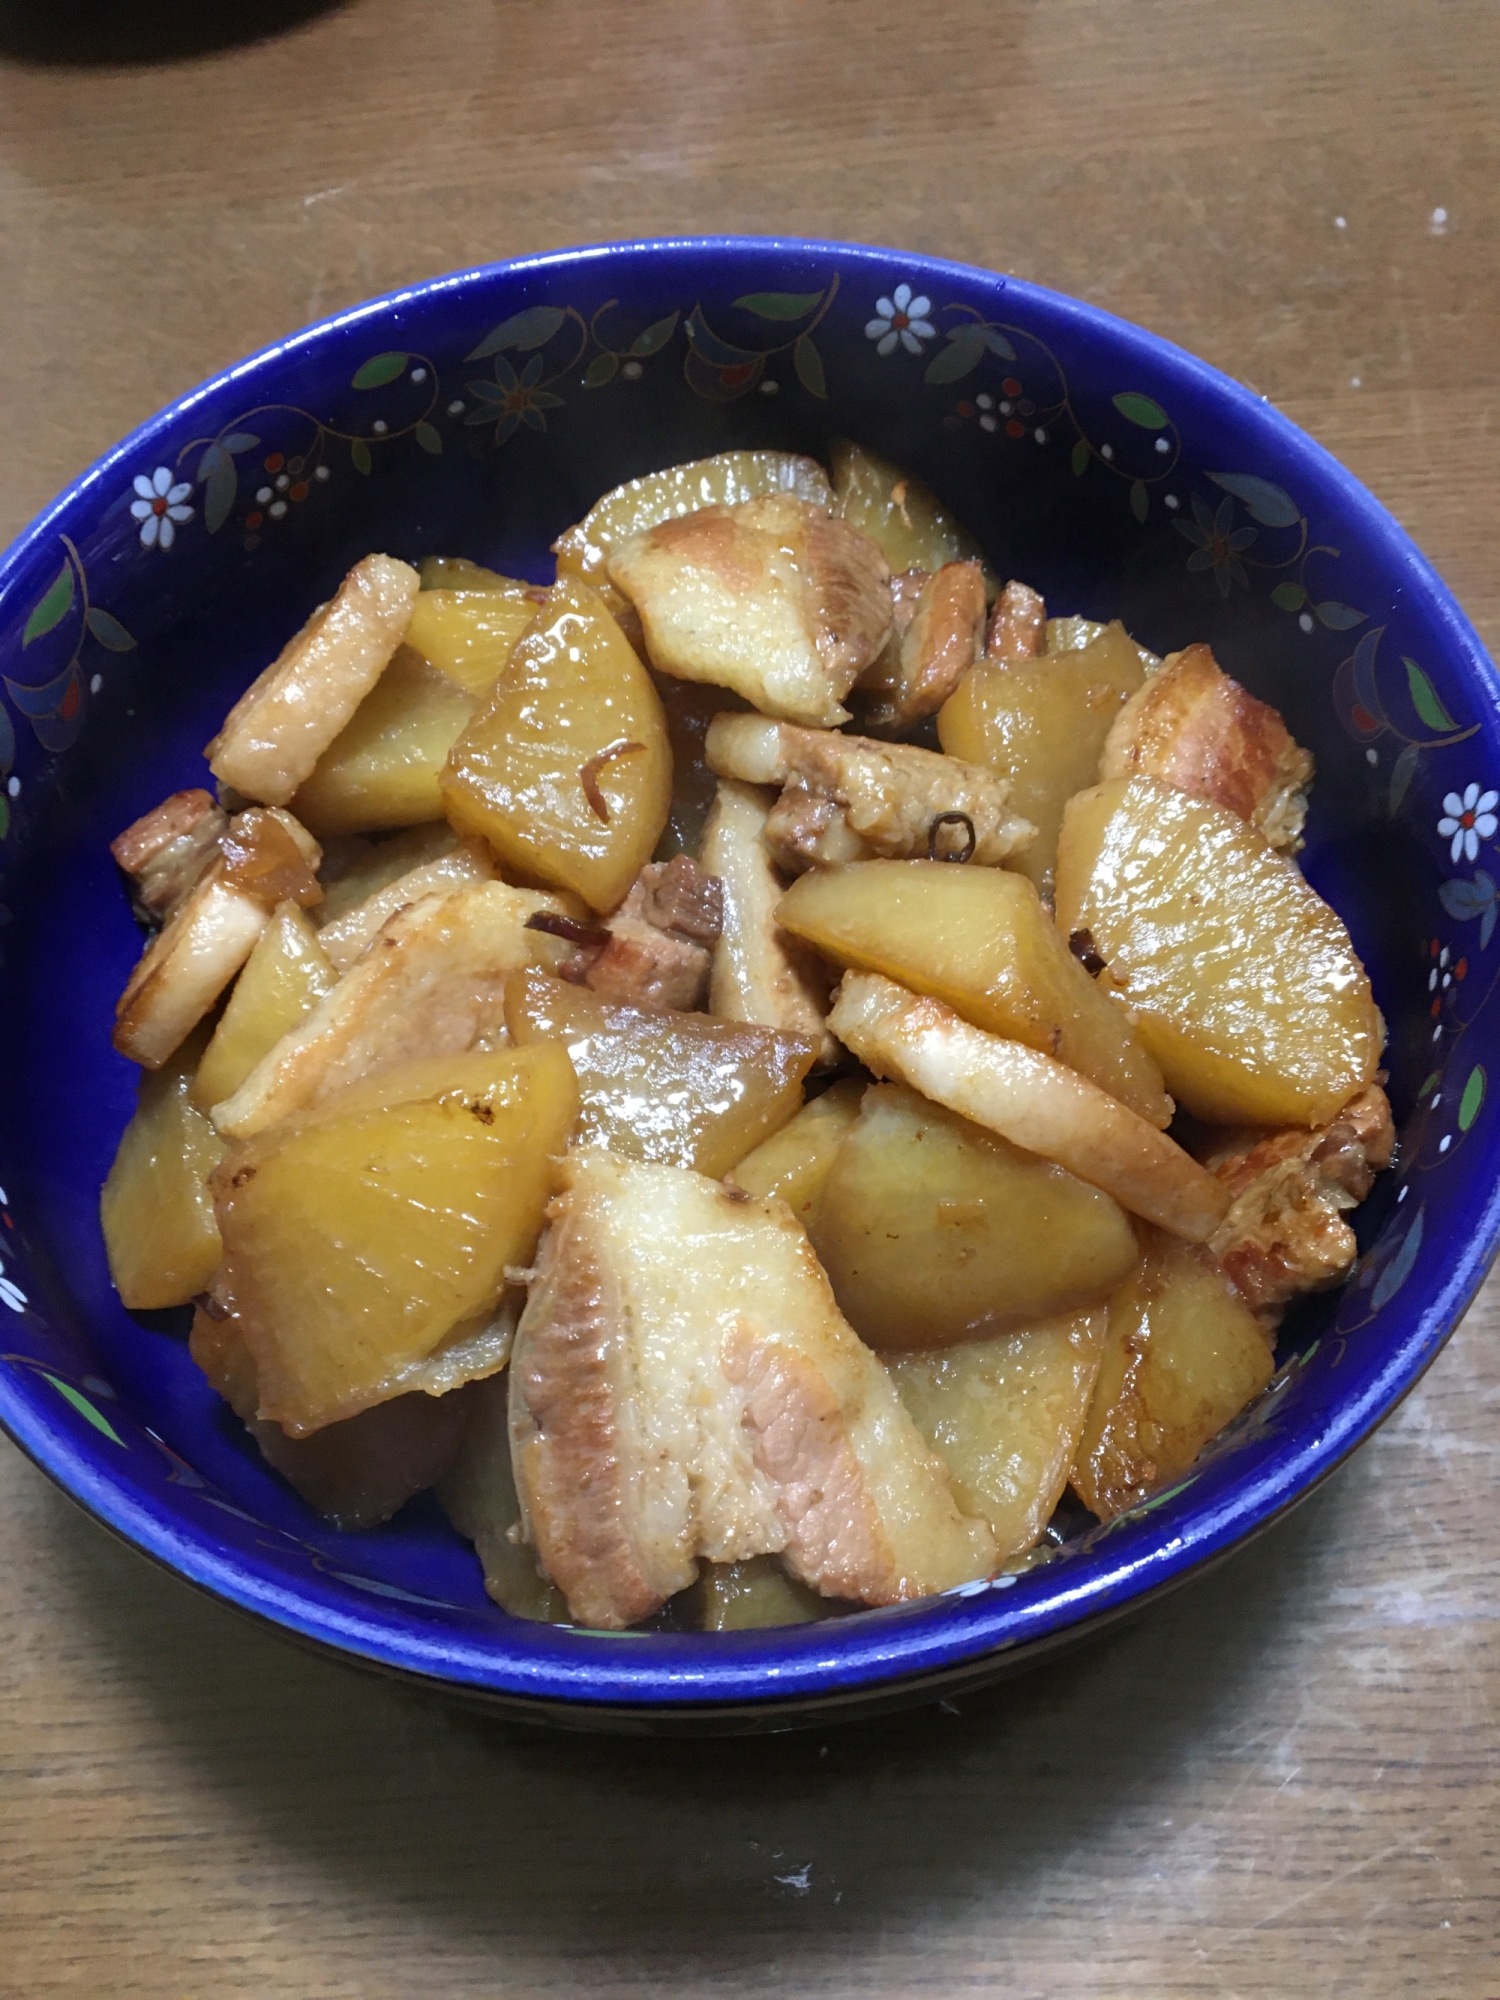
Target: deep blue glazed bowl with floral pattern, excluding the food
[[481, 415]]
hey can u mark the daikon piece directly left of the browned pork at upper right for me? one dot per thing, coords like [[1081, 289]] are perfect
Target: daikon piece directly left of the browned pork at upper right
[[1043, 727]]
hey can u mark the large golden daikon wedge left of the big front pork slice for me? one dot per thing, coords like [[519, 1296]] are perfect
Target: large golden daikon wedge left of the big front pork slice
[[361, 1235]]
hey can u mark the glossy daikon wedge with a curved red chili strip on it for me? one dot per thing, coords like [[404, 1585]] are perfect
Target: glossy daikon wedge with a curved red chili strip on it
[[565, 769]]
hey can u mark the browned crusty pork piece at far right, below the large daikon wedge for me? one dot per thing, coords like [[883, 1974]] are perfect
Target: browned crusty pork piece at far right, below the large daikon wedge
[[1291, 1191]]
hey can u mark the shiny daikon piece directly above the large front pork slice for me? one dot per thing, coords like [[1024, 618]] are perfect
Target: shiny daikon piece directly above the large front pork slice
[[669, 1087]]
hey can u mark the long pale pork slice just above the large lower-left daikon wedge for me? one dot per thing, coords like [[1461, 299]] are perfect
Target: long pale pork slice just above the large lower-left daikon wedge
[[431, 983]]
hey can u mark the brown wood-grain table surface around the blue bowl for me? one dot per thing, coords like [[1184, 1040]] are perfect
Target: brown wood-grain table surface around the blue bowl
[[1285, 1781]]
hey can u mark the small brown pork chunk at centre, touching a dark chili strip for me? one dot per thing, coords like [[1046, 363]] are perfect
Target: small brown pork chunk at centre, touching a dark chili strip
[[657, 949]]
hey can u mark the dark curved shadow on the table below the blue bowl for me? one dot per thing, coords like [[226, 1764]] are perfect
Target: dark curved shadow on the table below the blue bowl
[[677, 1859]]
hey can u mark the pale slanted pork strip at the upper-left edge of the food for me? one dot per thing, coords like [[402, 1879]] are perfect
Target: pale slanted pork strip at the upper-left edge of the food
[[287, 719]]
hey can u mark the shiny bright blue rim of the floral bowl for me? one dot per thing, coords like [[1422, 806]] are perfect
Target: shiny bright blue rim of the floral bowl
[[561, 1669]]
